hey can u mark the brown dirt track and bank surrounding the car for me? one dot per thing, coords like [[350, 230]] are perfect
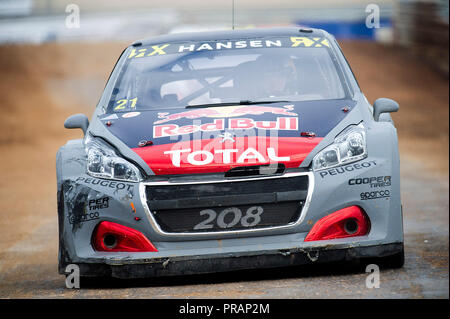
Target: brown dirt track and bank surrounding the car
[[42, 85]]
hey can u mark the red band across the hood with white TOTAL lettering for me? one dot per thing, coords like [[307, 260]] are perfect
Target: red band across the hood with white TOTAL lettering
[[215, 156]]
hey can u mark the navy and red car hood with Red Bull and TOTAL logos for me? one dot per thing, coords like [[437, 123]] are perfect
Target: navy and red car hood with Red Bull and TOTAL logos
[[217, 139]]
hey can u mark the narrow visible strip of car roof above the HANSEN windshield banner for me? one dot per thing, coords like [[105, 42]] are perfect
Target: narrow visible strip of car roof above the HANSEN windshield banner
[[232, 34]]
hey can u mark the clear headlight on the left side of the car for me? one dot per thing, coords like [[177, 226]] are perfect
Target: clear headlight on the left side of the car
[[102, 161]]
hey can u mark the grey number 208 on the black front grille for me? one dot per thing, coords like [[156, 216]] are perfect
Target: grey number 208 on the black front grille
[[252, 217]]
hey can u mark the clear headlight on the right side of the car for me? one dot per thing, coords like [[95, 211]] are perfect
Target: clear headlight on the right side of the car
[[349, 146]]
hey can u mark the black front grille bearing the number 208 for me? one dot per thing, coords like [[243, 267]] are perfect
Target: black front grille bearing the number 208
[[227, 206]]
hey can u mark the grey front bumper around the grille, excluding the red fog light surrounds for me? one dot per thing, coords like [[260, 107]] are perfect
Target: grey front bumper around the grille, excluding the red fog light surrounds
[[214, 252]]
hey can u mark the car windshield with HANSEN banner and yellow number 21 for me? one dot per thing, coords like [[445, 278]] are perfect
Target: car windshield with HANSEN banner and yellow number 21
[[231, 71]]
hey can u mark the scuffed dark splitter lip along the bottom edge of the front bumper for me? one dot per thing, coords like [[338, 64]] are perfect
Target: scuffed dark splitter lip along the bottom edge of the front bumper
[[187, 265]]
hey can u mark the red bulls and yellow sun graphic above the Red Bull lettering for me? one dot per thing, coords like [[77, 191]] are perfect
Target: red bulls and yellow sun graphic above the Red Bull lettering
[[226, 111]]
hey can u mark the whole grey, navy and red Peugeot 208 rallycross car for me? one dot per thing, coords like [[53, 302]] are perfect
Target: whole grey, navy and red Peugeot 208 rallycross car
[[219, 151]]
